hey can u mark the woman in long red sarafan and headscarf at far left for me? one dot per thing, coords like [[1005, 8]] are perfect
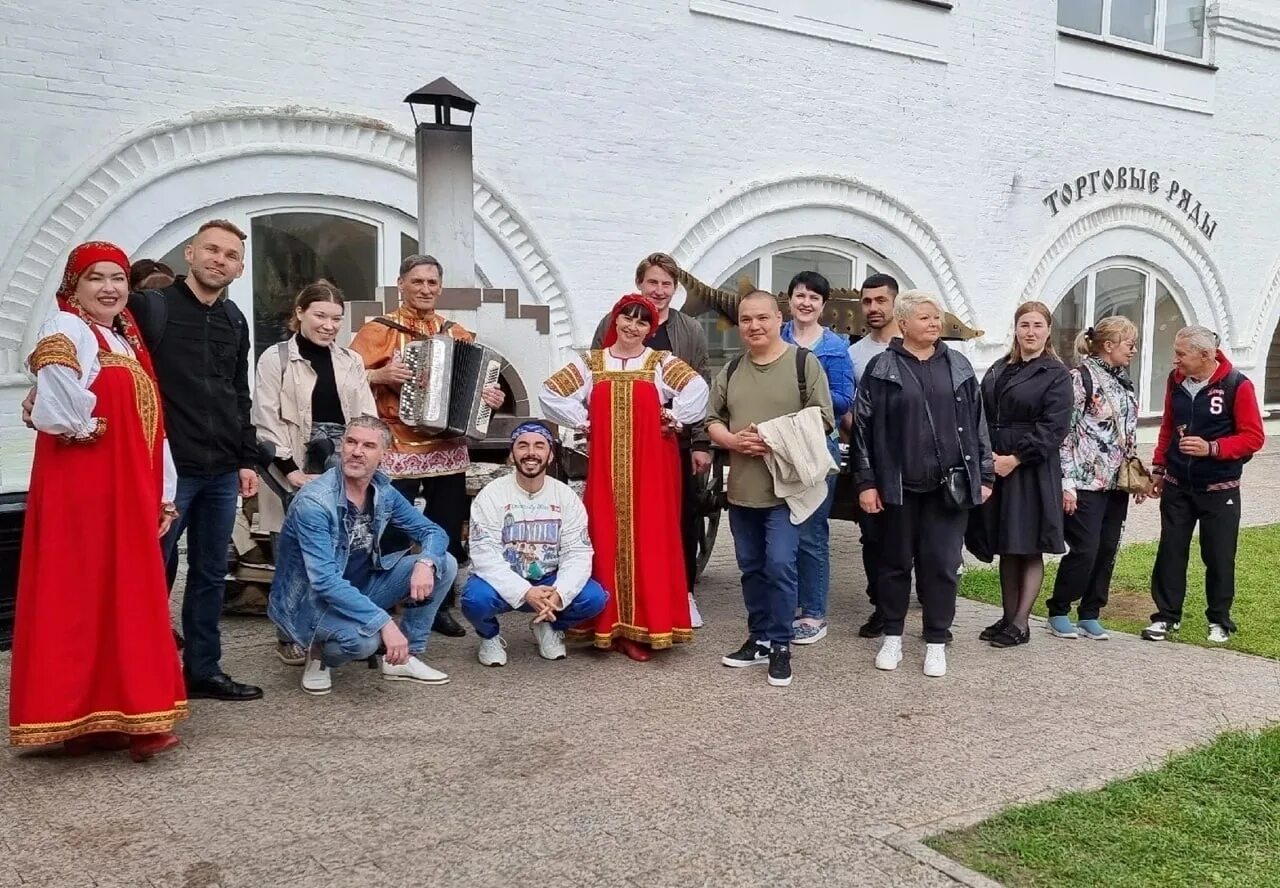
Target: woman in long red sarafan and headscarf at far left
[[95, 666]]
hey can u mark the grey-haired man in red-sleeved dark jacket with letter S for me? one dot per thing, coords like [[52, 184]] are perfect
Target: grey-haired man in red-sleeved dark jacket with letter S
[[1210, 429]]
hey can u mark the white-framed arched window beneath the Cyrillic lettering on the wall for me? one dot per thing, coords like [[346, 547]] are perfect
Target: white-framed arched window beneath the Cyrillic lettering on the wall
[[1136, 291]]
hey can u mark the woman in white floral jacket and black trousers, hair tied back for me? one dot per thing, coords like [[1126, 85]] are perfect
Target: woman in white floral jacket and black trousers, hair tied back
[[1104, 428]]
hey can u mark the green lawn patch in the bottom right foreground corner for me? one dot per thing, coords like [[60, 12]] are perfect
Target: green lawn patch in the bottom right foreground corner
[[1208, 818]]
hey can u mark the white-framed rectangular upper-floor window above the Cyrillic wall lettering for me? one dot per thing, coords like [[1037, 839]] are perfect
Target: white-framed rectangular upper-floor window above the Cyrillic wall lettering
[[1165, 26]]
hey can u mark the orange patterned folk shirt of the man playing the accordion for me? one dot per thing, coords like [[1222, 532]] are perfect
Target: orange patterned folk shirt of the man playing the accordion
[[413, 454]]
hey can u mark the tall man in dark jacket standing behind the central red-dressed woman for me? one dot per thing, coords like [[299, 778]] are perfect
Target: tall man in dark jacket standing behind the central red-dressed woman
[[685, 338]]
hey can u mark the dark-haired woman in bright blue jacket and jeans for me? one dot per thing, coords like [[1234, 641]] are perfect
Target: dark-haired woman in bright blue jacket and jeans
[[808, 296]]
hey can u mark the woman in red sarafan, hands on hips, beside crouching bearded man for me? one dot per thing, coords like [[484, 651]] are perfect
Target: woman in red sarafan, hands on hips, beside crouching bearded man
[[616, 396]]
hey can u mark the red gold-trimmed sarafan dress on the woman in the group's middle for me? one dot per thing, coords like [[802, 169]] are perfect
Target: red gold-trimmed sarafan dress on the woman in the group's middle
[[633, 506]]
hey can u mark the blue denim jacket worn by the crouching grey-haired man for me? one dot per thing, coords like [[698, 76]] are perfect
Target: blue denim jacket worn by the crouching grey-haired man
[[312, 556]]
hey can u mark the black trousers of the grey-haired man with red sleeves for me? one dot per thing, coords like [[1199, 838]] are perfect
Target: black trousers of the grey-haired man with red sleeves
[[1219, 516]]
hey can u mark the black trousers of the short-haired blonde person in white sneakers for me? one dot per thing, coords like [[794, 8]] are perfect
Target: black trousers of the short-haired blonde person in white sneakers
[[927, 535]]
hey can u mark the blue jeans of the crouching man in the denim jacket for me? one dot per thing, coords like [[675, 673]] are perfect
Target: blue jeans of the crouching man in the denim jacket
[[344, 640]]
